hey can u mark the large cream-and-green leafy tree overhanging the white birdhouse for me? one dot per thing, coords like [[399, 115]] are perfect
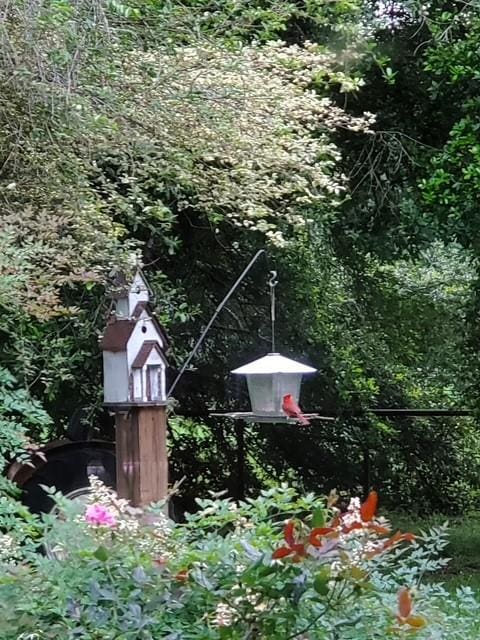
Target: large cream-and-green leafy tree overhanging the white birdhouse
[[130, 129]]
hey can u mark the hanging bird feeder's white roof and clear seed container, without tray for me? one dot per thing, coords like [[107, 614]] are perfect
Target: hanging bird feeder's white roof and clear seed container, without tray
[[271, 378]]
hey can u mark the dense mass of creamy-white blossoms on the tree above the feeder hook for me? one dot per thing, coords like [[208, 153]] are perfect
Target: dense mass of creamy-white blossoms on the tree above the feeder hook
[[245, 132]]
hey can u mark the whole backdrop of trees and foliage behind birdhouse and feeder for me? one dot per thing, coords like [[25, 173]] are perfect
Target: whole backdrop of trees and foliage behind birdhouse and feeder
[[343, 137]]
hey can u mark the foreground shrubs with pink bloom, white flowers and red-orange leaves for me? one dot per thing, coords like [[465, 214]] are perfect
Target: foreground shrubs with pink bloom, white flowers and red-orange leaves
[[278, 566]]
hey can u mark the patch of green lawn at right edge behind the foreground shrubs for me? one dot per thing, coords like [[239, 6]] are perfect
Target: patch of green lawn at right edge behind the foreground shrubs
[[463, 549]]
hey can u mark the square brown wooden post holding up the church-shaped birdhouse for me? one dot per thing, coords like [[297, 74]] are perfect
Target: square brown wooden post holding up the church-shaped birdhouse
[[141, 447]]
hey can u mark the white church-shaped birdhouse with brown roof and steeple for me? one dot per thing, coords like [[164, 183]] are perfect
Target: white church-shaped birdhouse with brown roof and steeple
[[133, 344]]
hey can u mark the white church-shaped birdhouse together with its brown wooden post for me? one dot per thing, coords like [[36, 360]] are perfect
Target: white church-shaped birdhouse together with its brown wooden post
[[134, 368]]
